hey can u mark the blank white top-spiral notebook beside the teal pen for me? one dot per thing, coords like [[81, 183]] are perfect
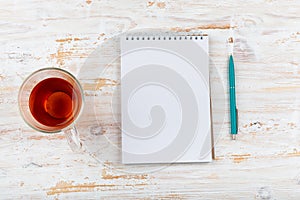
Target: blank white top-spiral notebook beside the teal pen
[[165, 99]]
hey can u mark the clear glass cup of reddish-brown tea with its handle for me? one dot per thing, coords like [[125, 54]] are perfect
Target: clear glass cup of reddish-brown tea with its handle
[[51, 100]]
